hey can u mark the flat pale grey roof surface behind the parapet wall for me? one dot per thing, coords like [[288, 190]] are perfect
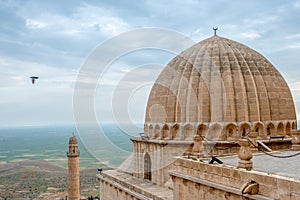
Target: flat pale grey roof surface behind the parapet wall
[[288, 167]]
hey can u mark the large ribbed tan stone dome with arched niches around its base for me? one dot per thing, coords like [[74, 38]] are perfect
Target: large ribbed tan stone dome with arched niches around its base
[[221, 89]]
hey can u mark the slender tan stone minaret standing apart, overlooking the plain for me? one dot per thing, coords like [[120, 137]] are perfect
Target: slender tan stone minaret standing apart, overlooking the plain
[[73, 169]]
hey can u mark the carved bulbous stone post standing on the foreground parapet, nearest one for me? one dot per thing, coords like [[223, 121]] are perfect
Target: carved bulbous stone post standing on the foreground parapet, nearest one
[[245, 154]]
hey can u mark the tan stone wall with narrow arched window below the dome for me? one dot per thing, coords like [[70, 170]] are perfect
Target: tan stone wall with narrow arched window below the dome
[[161, 154]]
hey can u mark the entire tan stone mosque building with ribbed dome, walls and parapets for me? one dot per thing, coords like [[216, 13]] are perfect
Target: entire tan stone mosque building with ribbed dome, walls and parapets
[[217, 100]]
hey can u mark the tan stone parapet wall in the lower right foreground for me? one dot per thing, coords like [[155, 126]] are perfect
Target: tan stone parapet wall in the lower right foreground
[[200, 180]]
